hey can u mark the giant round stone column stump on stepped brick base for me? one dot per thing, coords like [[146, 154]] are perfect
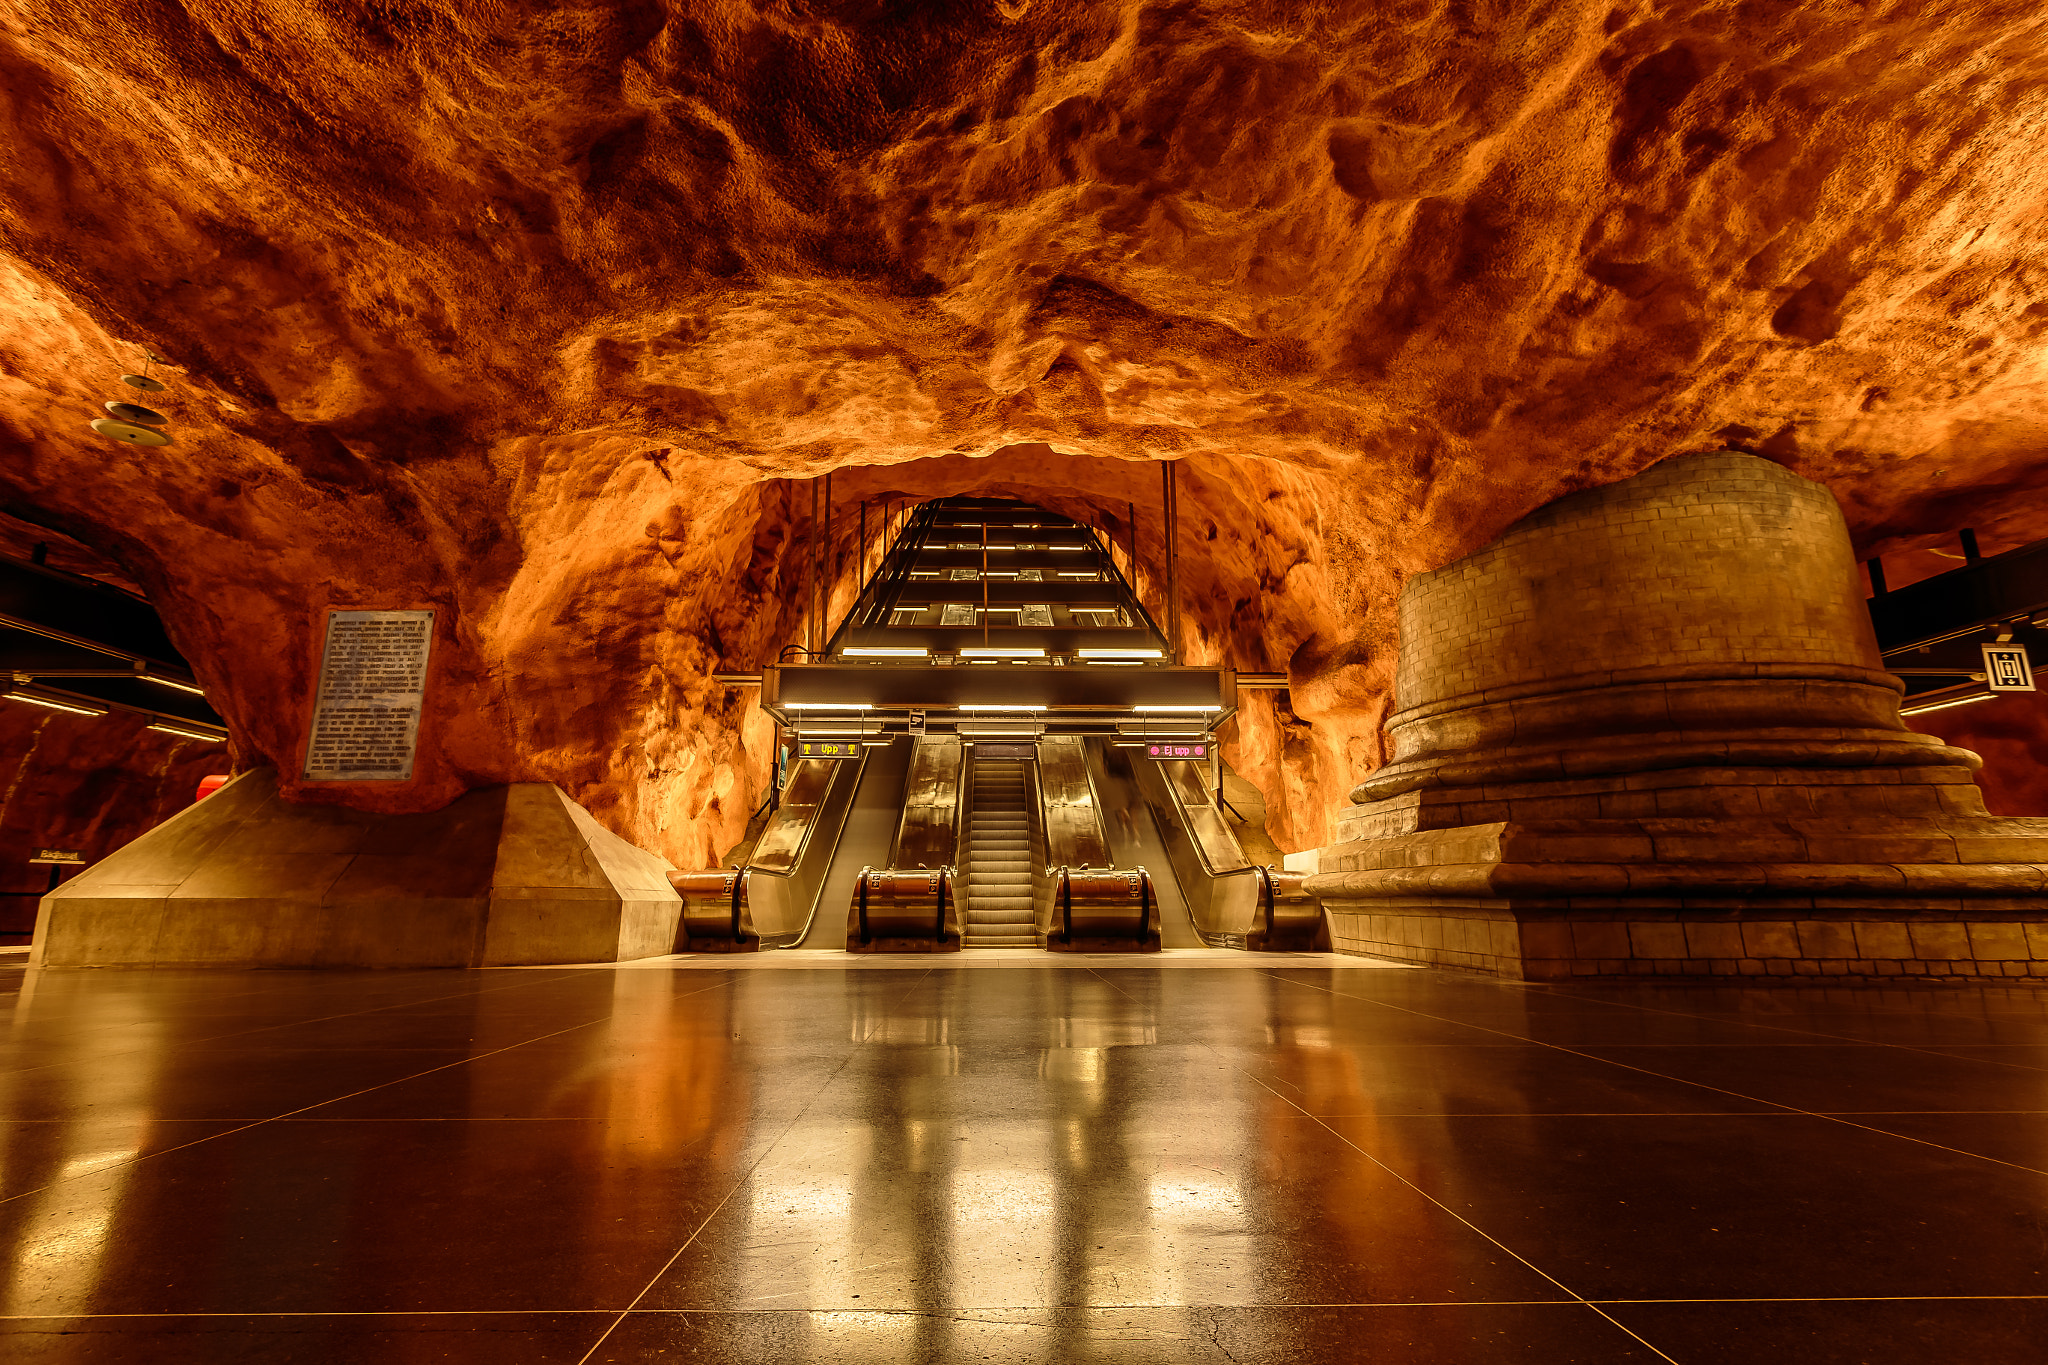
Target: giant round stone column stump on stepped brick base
[[1648, 732]]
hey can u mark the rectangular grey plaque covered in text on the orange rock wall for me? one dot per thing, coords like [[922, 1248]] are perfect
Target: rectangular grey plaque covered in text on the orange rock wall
[[372, 685]]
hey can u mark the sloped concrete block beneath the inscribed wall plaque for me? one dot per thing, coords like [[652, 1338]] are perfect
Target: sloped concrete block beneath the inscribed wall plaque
[[505, 877]]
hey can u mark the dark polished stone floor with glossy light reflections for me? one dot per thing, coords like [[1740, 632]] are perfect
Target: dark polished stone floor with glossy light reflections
[[1025, 1163]]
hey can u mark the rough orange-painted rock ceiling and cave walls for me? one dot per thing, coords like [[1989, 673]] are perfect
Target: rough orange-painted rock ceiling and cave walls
[[544, 314]]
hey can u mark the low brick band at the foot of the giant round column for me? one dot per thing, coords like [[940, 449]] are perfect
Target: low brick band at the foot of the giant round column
[[1560, 946]]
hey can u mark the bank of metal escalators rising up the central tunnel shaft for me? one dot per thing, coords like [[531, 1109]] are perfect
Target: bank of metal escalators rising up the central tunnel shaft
[[988, 756]]
